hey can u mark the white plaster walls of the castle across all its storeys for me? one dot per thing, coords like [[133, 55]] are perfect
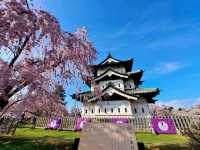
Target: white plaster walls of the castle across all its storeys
[[127, 108]]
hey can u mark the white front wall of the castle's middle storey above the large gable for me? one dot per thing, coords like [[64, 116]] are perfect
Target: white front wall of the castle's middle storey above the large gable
[[104, 84]]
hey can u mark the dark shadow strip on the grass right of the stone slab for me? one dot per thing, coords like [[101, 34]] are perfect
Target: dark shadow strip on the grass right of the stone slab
[[168, 147]]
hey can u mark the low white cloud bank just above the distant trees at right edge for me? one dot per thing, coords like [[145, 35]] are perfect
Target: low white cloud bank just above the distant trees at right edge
[[180, 103]]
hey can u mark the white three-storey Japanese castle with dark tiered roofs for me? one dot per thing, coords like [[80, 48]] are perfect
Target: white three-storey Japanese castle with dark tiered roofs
[[121, 95]]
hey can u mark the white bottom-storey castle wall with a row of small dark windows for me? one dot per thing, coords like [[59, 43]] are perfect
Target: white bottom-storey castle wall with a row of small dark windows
[[137, 109]]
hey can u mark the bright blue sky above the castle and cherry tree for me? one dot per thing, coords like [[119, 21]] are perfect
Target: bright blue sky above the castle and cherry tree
[[163, 37]]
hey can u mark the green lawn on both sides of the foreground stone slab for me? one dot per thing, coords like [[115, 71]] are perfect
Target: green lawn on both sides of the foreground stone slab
[[40, 139]]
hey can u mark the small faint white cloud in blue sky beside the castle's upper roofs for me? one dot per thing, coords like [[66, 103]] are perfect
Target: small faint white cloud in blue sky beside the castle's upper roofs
[[168, 67]]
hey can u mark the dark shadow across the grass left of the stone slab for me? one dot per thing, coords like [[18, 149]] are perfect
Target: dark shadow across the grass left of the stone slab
[[45, 143]]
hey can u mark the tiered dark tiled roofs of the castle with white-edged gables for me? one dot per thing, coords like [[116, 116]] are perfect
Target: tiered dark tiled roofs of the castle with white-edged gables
[[111, 69]]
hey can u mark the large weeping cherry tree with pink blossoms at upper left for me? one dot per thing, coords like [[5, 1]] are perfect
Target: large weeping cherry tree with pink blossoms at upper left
[[36, 54]]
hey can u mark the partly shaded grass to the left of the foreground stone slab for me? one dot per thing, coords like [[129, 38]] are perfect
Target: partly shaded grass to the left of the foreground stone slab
[[38, 139]]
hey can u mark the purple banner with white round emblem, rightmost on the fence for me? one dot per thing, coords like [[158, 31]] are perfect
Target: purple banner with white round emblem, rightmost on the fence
[[163, 125]]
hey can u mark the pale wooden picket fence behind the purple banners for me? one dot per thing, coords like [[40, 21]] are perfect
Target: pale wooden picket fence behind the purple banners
[[182, 123]]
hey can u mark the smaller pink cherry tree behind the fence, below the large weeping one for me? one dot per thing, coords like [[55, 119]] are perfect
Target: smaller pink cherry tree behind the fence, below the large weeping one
[[42, 105]]
